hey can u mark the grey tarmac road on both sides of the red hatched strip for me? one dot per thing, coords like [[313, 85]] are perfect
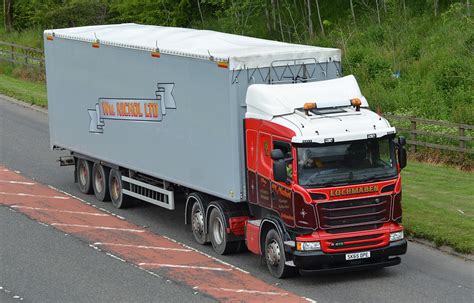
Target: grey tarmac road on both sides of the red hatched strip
[[38, 263]]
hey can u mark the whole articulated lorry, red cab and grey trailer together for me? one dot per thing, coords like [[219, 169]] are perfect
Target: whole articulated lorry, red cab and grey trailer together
[[272, 147]]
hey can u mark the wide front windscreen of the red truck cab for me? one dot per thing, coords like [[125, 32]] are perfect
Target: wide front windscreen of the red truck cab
[[346, 163]]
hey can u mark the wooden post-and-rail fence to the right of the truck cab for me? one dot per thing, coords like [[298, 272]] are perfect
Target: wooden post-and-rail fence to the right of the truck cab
[[414, 131]]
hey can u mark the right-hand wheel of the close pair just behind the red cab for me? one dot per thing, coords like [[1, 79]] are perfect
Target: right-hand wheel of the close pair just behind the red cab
[[218, 235]]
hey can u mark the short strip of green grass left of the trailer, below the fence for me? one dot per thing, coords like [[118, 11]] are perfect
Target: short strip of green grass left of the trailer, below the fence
[[34, 93]]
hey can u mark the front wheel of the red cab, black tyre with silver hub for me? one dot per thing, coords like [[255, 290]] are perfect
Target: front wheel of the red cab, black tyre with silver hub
[[275, 256]]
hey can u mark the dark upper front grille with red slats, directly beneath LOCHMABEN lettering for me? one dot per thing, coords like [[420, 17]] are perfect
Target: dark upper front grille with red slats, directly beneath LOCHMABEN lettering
[[353, 213]]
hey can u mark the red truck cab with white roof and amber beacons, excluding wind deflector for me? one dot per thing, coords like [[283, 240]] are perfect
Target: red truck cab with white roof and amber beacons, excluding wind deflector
[[325, 203]]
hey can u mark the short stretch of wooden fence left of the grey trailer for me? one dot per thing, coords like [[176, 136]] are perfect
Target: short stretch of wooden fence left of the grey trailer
[[22, 55]]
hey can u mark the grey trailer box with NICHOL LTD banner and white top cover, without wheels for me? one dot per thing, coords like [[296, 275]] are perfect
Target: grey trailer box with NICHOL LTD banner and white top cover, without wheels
[[167, 102]]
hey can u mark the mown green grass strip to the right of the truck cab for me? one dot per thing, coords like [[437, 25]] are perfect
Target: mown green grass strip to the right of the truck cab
[[438, 205]]
